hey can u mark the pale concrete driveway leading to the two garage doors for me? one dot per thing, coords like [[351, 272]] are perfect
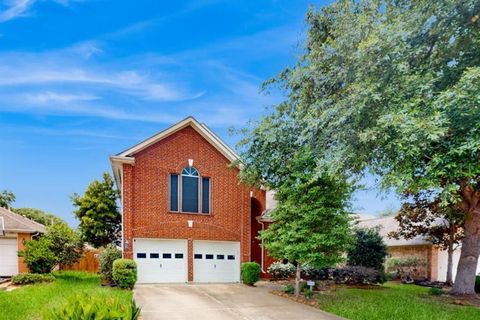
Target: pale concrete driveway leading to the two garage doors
[[219, 301]]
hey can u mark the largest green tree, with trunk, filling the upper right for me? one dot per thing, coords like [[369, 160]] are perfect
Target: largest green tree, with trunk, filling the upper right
[[392, 87]]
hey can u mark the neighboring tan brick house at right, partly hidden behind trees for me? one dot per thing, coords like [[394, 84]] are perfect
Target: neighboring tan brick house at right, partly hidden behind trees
[[434, 259]]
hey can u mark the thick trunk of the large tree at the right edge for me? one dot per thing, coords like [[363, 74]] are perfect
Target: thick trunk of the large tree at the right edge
[[467, 265]]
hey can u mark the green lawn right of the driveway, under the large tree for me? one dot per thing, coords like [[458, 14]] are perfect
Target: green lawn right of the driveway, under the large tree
[[394, 301]]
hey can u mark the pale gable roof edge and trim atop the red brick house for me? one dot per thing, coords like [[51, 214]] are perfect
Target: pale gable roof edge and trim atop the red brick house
[[128, 155]]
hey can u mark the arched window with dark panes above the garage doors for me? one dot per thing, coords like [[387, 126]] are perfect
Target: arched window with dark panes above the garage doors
[[194, 192]]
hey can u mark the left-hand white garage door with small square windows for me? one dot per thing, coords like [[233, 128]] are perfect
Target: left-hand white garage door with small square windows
[[161, 260]]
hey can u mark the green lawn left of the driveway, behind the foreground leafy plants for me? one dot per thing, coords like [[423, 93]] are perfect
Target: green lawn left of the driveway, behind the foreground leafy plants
[[30, 302]]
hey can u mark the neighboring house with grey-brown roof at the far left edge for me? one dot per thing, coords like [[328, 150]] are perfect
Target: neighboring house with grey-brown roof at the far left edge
[[14, 231]]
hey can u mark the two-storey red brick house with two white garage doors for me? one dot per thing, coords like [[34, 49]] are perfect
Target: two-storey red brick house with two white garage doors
[[186, 215]]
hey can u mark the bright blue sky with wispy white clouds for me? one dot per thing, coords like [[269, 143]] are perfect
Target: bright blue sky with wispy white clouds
[[80, 80]]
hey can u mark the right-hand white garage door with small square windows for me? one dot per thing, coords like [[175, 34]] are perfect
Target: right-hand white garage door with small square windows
[[216, 261]]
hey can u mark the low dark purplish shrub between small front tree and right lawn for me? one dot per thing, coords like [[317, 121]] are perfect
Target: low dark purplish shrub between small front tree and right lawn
[[355, 275]]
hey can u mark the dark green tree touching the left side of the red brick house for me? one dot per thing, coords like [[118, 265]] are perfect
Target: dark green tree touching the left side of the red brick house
[[97, 210]]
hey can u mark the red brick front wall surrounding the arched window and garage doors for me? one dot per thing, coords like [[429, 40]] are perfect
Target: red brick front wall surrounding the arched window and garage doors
[[146, 195]]
